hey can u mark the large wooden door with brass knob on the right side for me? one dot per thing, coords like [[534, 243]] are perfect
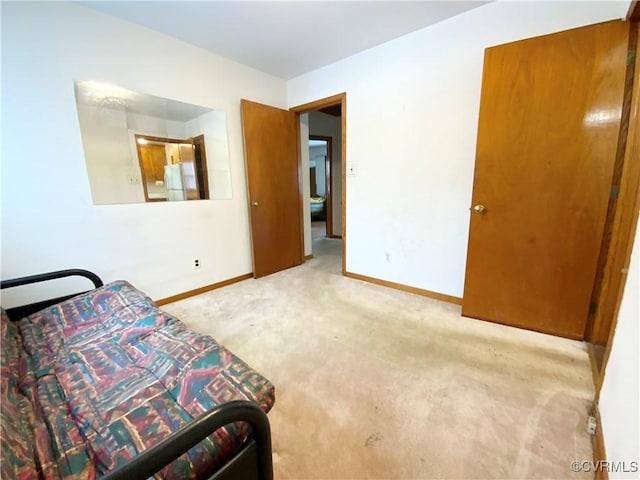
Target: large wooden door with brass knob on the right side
[[547, 138]]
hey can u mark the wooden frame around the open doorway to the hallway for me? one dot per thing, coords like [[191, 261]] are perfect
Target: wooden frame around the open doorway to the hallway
[[338, 99]]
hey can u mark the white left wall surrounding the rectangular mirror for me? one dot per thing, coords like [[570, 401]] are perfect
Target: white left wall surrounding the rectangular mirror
[[48, 219]]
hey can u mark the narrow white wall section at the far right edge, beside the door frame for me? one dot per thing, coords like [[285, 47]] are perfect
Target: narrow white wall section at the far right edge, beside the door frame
[[619, 397]]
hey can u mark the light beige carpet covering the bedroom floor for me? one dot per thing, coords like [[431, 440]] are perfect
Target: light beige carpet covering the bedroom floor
[[377, 383]]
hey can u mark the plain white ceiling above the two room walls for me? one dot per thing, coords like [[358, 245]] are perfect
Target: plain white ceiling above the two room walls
[[284, 38]]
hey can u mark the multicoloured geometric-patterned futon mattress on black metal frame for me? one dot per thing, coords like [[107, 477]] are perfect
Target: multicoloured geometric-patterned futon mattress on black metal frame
[[93, 381]]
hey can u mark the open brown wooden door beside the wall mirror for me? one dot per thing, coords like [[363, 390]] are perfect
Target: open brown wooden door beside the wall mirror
[[271, 155]]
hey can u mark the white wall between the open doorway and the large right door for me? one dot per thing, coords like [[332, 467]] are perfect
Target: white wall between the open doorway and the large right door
[[412, 111]]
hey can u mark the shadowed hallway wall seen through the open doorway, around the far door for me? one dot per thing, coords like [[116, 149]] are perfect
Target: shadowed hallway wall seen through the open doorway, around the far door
[[330, 126]]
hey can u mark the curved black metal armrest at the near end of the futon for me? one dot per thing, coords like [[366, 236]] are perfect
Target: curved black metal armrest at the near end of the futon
[[254, 462]]
